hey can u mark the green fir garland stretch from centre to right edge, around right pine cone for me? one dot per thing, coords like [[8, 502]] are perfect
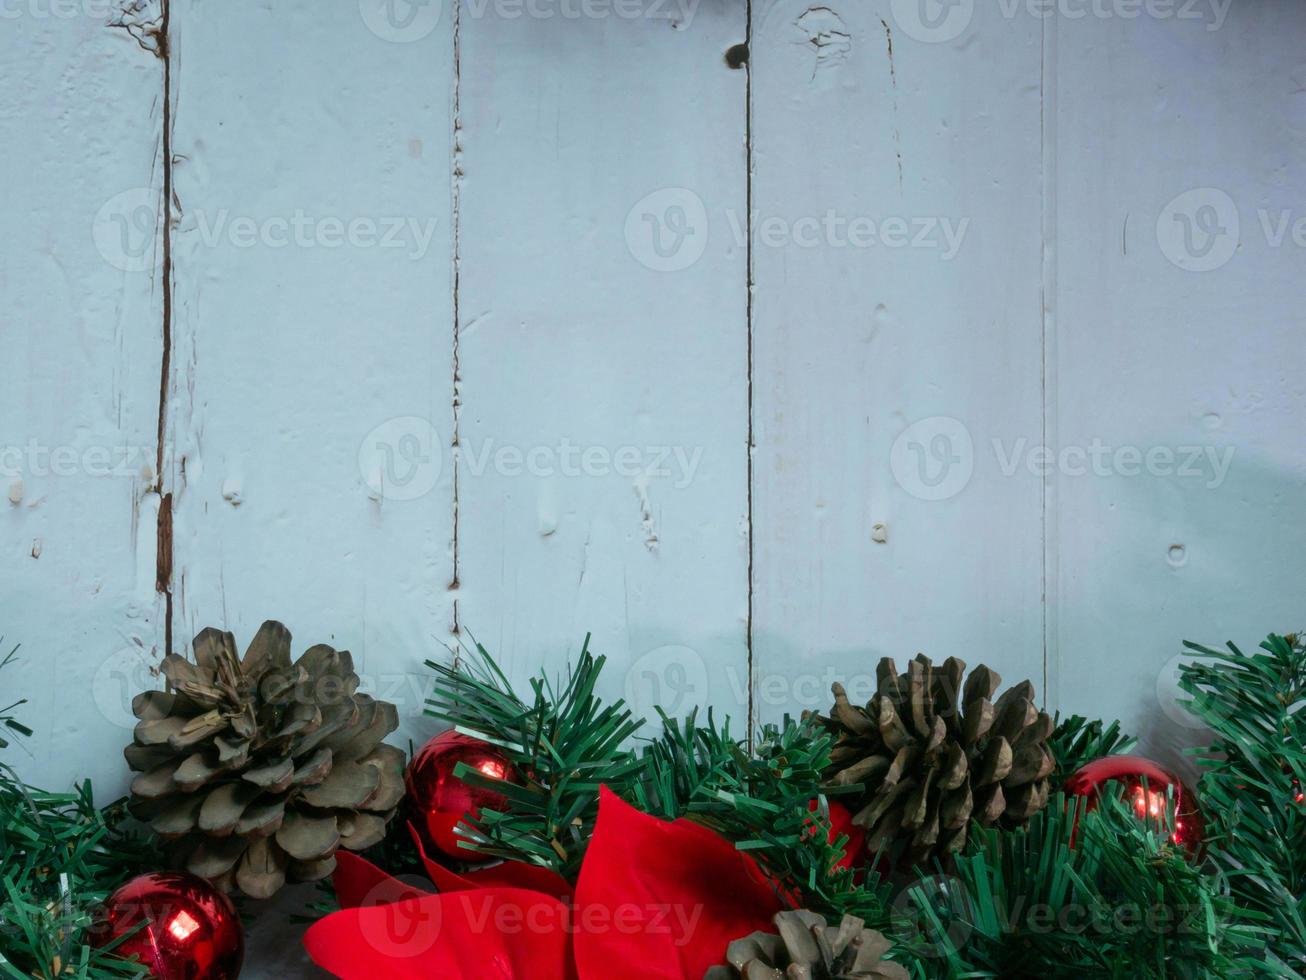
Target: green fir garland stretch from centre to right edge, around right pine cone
[[1072, 894]]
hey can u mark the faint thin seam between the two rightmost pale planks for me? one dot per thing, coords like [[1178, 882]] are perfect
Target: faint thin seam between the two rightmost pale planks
[[1048, 109]]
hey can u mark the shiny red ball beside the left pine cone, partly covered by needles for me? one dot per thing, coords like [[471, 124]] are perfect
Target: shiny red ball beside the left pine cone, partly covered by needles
[[441, 800]]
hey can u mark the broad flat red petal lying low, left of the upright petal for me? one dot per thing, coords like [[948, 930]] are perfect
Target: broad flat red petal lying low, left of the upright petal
[[484, 935]]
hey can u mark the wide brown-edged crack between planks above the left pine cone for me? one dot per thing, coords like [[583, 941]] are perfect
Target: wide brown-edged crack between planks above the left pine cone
[[164, 556]]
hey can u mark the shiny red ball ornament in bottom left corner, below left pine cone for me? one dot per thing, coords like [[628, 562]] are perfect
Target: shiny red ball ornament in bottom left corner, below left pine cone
[[191, 930]]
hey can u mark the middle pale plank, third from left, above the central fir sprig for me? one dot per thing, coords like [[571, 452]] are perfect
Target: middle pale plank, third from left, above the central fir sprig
[[603, 372]]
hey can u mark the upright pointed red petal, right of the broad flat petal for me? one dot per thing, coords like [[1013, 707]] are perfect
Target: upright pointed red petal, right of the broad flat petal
[[661, 901]]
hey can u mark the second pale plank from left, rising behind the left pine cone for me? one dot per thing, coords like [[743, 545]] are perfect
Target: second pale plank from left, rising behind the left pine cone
[[313, 334]]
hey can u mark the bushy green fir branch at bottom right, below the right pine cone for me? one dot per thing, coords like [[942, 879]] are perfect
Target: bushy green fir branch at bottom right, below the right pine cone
[[1078, 894]]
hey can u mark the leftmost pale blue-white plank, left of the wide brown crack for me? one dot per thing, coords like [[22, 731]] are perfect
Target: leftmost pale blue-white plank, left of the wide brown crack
[[79, 410]]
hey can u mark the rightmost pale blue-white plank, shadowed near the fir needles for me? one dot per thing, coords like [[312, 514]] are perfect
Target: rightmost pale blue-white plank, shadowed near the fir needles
[[1183, 355]]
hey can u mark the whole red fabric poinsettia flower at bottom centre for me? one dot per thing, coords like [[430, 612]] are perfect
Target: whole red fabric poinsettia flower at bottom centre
[[655, 901]]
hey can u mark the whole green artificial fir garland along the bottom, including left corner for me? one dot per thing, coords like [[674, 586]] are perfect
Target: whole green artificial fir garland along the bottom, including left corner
[[1074, 892]]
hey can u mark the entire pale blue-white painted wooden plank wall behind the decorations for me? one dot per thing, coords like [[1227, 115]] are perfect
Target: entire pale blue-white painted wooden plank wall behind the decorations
[[462, 321]]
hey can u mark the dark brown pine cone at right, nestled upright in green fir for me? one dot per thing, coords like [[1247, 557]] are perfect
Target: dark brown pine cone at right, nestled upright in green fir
[[933, 756]]
